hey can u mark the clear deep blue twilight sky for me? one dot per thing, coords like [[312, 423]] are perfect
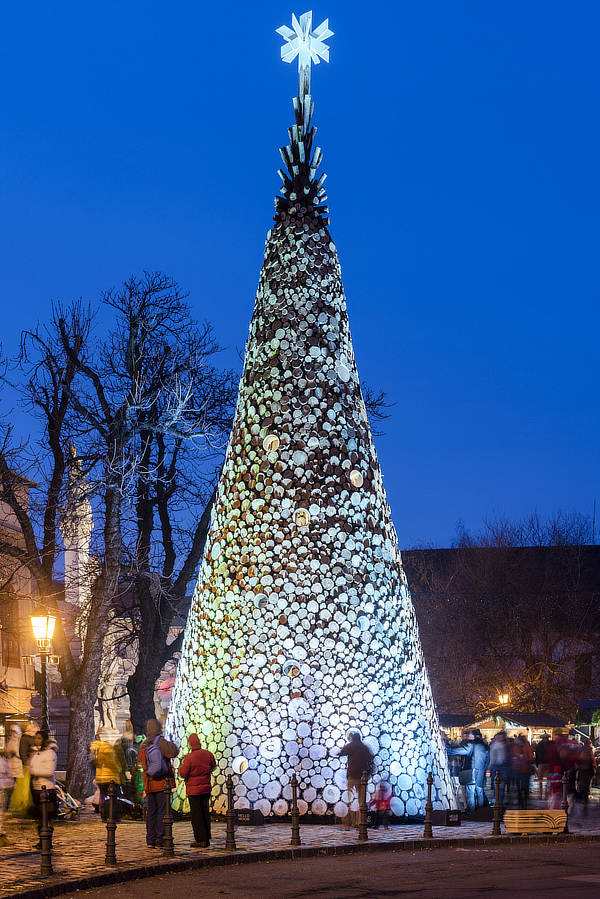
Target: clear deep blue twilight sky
[[462, 145]]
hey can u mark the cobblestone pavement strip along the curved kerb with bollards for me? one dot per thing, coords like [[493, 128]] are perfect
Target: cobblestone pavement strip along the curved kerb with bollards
[[79, 846]]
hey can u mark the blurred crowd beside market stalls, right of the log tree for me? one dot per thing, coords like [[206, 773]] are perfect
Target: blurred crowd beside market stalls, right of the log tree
[[517, 761]]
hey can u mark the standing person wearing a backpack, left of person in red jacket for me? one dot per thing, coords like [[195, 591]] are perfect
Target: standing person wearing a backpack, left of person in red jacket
[[155, 756]]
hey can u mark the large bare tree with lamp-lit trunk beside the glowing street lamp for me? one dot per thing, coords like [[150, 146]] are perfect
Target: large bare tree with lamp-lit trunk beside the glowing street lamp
[[141, 386]]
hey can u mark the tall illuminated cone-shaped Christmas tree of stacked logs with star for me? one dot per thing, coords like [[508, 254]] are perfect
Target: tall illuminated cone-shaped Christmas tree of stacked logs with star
[[301, 627]]
